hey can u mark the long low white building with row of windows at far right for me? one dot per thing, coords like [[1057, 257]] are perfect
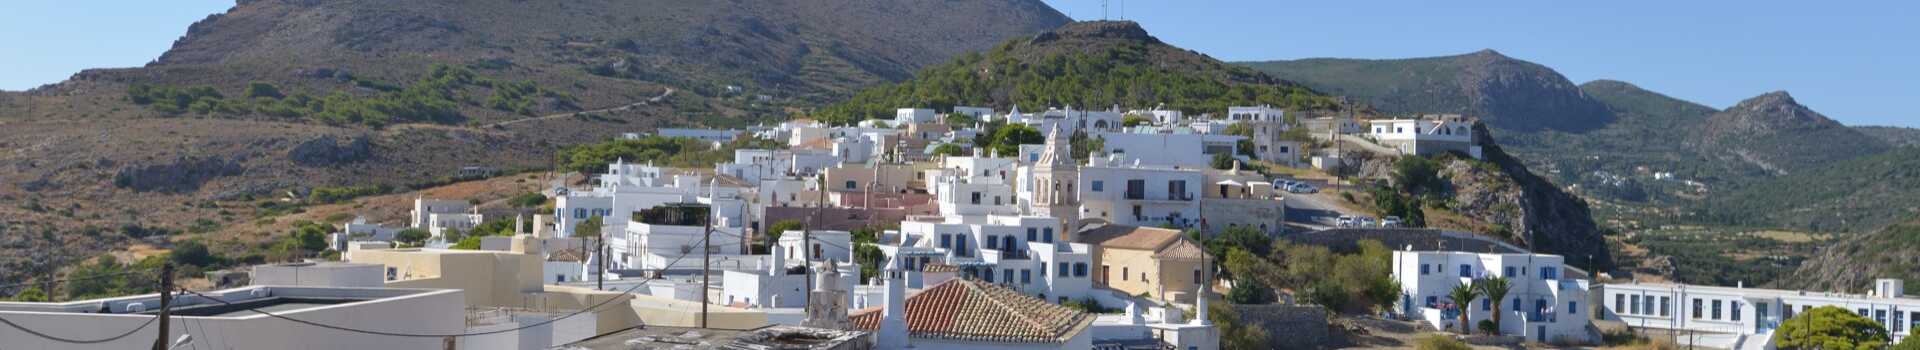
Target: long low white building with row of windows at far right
[[1746, 318]]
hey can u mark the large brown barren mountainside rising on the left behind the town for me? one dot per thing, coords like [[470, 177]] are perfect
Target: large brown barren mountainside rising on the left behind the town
[[262, 105]]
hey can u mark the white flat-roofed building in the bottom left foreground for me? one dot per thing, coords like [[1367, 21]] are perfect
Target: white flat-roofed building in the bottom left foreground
[[212, 324]]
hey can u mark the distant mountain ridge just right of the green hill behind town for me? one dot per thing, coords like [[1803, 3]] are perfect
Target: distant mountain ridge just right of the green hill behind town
[[1502, 91]]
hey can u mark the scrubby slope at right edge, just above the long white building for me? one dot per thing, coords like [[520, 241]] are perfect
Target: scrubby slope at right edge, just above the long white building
[[1854, 264]]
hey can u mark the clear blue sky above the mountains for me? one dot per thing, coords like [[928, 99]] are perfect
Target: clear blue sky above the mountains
[[1854, 62]]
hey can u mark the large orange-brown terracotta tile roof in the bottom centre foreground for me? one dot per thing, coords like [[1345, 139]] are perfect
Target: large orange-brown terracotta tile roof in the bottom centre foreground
[[972, 311]]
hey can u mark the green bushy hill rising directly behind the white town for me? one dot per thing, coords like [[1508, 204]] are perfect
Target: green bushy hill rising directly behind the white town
[[1088, 64]]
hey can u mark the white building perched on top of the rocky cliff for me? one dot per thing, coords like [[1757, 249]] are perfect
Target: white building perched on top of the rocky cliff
[[1426, 136]]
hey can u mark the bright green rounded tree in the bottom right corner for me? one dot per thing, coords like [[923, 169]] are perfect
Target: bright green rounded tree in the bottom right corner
[[1831, 328]]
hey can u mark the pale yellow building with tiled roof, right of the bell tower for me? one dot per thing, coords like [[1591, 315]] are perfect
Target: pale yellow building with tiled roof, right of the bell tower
[[1147, 261]]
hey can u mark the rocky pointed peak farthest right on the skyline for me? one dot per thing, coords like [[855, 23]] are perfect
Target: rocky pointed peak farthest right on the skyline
[[1781, 136]]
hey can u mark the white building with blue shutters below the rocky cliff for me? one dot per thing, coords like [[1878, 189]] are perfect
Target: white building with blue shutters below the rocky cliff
[[1543, 303]]
